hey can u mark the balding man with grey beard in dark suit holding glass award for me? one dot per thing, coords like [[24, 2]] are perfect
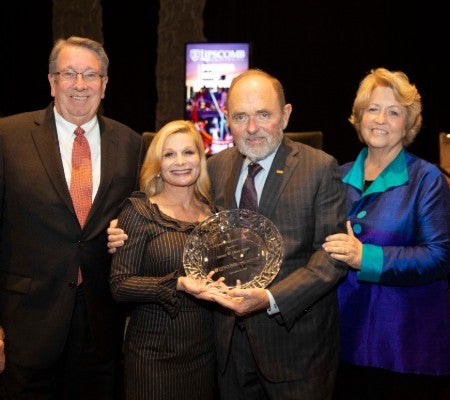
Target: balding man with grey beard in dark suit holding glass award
[[280, 343]]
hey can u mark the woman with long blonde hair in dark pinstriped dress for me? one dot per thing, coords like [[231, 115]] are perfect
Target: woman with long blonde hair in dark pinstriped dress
[[169, 343]]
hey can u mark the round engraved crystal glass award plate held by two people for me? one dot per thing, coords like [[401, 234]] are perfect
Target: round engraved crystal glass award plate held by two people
[[237, 245]]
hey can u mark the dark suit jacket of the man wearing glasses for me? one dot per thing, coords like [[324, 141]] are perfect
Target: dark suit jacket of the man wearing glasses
[[42, 244]]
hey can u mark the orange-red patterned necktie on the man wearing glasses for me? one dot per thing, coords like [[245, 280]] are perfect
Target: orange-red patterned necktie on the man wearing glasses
[[81, 179]]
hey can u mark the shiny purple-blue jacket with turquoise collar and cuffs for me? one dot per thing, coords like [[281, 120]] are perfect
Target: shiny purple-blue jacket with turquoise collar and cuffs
[[395, 312]]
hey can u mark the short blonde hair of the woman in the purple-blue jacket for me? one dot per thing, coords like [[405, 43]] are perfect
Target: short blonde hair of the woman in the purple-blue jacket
[[405, 93]]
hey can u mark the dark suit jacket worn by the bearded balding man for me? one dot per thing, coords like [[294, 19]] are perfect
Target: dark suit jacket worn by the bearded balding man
[[303, 196]]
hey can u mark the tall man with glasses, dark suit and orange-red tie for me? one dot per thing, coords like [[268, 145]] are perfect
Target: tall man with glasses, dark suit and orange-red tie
[[63, 331]]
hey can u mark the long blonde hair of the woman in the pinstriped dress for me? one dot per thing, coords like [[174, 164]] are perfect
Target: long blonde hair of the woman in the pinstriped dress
[[150, 180]]
